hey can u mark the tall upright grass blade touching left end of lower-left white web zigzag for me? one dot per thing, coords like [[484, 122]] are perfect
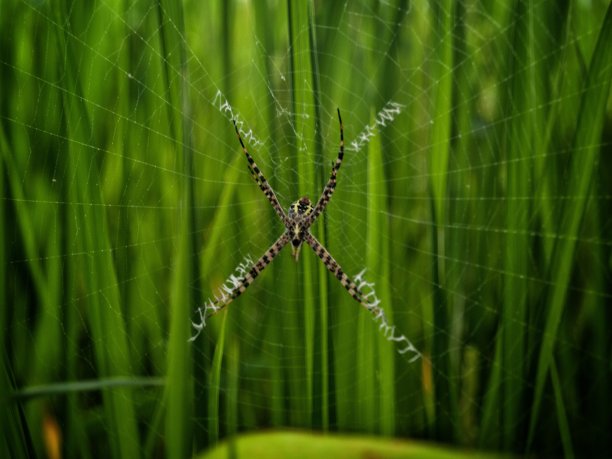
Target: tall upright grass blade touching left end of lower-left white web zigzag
[[184, 282]]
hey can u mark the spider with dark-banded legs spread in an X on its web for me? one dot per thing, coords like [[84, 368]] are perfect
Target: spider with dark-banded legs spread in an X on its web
[[297, 222]]
